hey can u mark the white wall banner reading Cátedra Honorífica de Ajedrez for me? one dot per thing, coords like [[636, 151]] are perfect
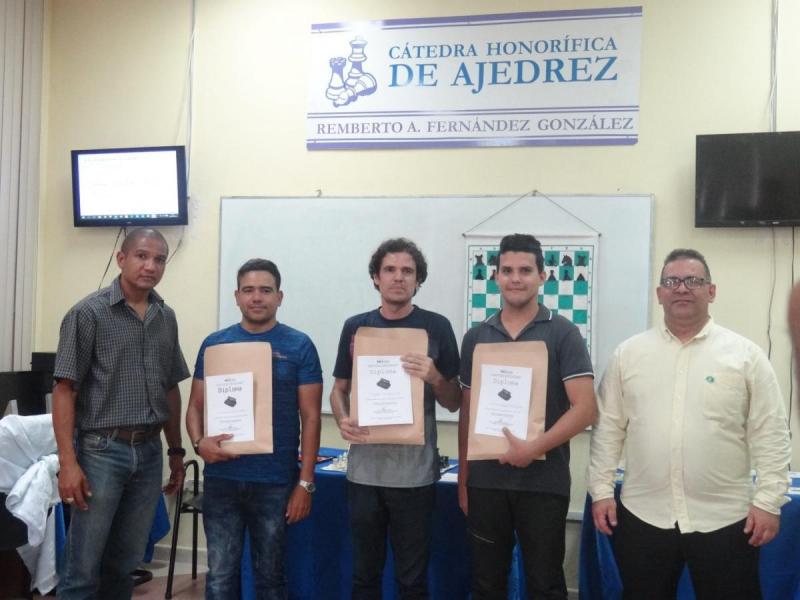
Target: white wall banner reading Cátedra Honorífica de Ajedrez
[[567, 77]]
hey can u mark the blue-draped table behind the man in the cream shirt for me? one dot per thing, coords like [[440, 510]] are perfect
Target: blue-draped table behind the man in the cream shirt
[[780, 559]]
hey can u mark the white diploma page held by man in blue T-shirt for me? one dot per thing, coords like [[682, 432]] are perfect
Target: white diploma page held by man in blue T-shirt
[[230, 406]]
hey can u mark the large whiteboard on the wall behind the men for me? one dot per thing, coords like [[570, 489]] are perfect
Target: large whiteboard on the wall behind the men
[[322, 247]]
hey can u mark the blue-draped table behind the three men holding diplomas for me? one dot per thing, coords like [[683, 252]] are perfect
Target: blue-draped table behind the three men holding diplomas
[[319, 551]]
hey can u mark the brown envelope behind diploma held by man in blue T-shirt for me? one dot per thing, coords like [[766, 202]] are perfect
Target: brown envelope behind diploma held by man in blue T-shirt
[[255, 357]]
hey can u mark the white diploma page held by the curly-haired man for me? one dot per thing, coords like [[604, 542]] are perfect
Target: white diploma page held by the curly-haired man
[[384, 391]]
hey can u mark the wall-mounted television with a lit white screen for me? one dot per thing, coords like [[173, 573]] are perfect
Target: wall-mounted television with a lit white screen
[[129, 187]]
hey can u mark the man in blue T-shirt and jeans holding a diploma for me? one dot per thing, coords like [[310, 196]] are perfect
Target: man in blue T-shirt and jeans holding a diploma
[[260, 492]]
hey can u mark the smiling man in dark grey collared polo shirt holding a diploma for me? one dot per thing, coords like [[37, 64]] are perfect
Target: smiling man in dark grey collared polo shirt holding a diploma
[[518, 493]]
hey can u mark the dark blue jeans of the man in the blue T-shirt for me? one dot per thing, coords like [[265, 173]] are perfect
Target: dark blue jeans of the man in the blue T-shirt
[[229, 507]]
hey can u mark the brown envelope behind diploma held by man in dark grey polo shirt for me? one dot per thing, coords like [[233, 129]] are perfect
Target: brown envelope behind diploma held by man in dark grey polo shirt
[[513, 354]]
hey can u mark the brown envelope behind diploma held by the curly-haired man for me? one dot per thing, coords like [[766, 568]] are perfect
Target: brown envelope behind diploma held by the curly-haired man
[[393, 341]]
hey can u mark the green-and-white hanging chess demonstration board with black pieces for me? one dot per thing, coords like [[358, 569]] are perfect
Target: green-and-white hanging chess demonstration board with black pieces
[[568, 289]]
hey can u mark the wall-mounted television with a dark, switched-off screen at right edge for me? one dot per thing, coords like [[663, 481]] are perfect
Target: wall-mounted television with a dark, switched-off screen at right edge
[[748, 179]]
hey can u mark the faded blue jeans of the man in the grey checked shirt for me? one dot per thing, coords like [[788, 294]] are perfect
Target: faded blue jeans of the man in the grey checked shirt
[[107, 541]]
